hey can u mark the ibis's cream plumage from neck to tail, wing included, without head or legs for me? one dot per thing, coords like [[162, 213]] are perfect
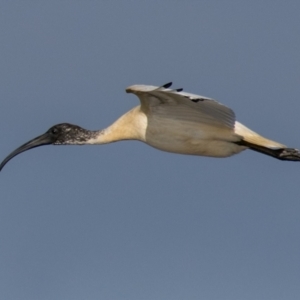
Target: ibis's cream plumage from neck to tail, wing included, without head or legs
[[177, 122]]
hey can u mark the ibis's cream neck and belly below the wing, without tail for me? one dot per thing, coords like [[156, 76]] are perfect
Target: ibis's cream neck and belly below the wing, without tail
[[167, 133]]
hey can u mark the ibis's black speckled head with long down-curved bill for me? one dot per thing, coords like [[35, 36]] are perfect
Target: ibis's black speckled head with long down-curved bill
[[60, 134]]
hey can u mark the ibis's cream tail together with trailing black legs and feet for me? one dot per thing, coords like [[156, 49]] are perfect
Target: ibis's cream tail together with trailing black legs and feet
[[256, 142]]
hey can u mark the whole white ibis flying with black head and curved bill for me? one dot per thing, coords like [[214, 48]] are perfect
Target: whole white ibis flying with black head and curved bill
[[170, 120]]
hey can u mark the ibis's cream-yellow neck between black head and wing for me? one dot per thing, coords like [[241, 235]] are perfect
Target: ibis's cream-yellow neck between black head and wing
[[130, 126]]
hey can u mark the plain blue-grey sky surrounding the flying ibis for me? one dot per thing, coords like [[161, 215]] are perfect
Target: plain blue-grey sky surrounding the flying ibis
[[126, 221]]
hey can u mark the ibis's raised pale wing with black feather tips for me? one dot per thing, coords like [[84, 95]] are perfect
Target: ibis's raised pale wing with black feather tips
[[183, 106]]
